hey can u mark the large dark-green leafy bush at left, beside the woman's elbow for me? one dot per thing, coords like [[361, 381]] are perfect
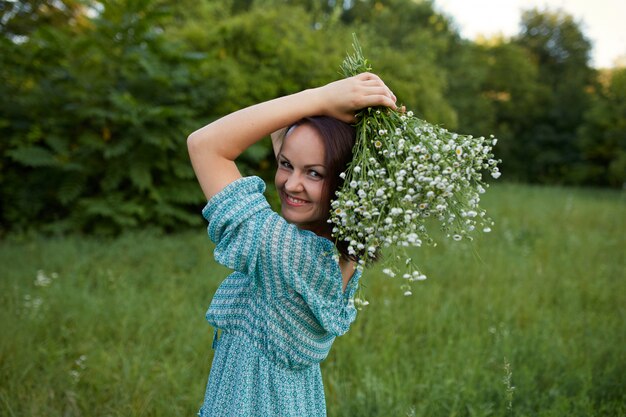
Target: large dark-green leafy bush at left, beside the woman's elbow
[[95, 127]]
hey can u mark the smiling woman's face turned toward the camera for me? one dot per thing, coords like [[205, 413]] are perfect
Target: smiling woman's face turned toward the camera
[[300, 179]]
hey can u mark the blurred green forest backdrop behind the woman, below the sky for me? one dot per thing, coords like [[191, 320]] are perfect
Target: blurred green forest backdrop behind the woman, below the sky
[[98, 97]]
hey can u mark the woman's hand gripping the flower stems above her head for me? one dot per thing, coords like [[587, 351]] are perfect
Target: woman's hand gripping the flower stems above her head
[[341, 99]]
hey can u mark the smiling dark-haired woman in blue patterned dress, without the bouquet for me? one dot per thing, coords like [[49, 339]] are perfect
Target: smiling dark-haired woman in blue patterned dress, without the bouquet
[[289, 296]]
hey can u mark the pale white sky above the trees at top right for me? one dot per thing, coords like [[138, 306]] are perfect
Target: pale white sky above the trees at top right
[[602, 21]]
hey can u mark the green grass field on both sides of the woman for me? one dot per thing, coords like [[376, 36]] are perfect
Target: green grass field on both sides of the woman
[[529, 320]]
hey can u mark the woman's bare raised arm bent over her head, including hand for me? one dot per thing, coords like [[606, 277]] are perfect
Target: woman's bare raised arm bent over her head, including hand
[[214, 148]]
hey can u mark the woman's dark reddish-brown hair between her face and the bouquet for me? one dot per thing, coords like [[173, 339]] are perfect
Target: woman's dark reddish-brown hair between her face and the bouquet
[[339, 139]]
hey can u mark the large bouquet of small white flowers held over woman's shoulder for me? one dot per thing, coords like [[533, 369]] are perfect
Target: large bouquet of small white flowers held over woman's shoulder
[[404, 171]]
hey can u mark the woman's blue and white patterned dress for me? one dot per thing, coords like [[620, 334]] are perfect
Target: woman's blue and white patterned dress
[[278, 313]]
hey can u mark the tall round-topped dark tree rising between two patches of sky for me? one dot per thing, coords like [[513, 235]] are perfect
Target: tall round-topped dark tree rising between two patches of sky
[[561, 52]]
